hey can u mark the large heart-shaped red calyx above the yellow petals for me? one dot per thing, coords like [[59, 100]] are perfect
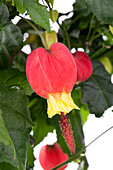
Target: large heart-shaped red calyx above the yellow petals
[[51, 71]]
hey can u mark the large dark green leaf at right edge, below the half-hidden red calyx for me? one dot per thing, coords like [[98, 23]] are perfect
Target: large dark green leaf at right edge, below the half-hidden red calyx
[[97, 92]]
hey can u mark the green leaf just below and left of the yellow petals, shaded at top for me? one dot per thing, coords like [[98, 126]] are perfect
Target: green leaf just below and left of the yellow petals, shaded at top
[[38, 109]]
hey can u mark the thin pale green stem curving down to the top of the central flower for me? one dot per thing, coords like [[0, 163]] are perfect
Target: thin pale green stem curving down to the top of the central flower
[[36, 31]]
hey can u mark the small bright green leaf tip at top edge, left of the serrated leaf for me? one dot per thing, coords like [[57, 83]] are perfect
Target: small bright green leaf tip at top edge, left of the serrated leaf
[[20, 6]]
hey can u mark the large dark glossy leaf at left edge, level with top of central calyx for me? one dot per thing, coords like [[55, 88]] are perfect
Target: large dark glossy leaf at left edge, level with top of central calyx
[[9, 33]]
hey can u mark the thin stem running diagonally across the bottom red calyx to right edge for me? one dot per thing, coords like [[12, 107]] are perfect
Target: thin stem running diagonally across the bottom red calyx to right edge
[[74, 157]]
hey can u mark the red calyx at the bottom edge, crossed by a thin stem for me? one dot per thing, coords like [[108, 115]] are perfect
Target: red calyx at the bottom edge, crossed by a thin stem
[[51, 156]]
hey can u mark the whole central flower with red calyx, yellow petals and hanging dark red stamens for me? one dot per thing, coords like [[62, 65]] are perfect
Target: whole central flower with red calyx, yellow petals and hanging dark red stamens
[[52, 74]]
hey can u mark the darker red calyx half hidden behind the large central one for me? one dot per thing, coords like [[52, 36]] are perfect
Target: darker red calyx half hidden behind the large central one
[[84, 66]]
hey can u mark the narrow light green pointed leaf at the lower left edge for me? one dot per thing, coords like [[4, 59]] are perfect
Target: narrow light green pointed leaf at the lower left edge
[[4, 136]]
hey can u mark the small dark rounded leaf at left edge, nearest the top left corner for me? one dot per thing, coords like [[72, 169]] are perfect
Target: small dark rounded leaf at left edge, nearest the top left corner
[[4, 14]]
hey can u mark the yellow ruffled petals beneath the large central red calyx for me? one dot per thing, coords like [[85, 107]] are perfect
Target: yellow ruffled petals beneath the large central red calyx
[[58, 103]]
